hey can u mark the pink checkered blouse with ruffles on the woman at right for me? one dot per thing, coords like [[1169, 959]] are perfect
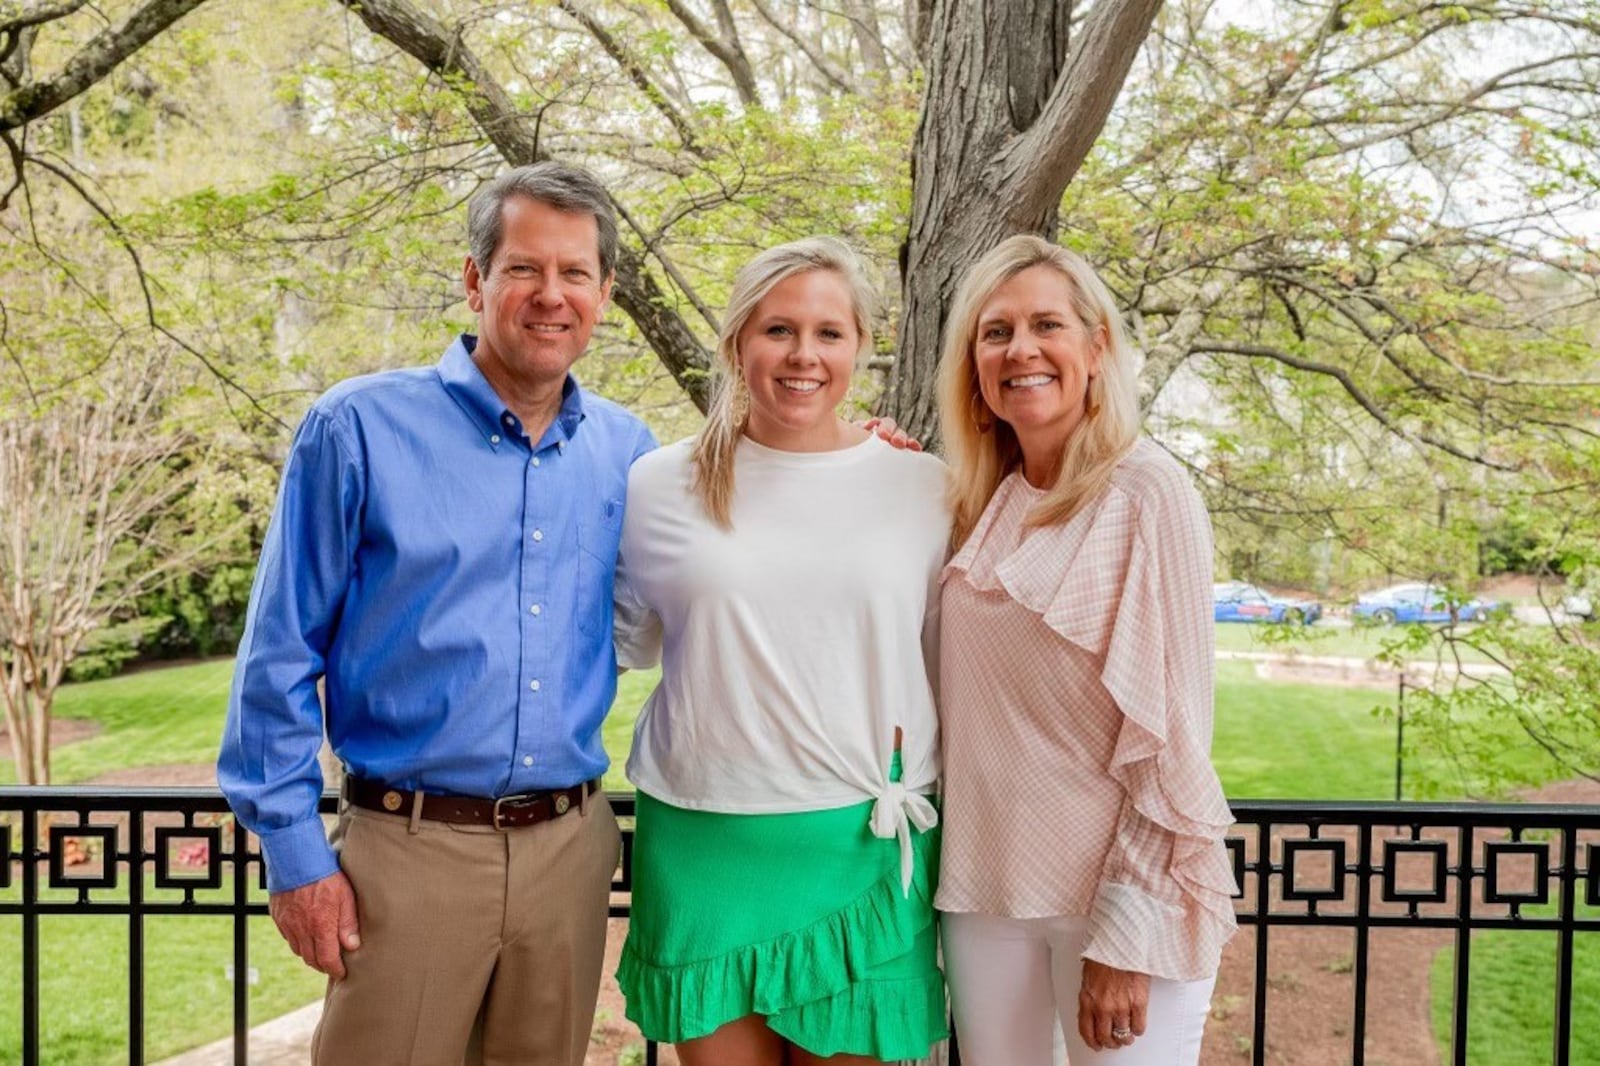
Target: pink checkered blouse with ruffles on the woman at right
[[1076, 708]]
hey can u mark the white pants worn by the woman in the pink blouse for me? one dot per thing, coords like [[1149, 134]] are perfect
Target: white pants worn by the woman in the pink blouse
[[1012, 980]]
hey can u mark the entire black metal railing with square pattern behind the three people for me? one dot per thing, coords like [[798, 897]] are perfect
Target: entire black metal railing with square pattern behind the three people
[[1362, 867]]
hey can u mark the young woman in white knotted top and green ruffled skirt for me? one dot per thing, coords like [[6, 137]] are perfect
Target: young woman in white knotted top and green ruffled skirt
[[785, 566]]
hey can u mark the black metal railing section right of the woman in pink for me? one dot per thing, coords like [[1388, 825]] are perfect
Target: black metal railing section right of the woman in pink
[[1457, 868]]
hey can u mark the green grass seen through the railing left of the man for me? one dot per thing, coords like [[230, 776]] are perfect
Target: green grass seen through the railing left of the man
[[188, 995]]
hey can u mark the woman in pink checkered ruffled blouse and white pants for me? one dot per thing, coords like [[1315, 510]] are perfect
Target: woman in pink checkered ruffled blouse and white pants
[[1084, 872]]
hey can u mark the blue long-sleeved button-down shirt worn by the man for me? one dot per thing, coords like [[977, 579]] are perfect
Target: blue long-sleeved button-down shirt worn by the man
[[449, 582]]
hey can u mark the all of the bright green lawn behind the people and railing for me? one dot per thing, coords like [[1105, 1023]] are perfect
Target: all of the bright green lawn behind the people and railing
[[1273, 742]]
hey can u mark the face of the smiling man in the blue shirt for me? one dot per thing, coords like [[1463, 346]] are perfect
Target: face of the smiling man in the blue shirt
[[542, 295]]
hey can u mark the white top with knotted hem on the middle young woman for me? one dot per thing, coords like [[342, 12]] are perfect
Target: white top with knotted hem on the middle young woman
[[794, 644]]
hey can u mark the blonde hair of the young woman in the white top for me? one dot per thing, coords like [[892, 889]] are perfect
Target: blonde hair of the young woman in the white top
[[730, 407]]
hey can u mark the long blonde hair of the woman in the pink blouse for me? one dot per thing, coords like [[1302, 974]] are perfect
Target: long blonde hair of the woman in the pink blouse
[[982, 449]]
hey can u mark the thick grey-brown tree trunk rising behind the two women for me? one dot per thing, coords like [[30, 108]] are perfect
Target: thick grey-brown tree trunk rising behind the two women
[[1009, 118]]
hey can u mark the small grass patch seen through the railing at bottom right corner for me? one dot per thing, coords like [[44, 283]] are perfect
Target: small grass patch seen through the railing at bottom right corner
[[1511, 1001]]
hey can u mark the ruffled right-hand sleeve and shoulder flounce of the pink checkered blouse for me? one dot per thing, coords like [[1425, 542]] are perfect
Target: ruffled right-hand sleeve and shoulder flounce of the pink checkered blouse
[[1130, 582]]
